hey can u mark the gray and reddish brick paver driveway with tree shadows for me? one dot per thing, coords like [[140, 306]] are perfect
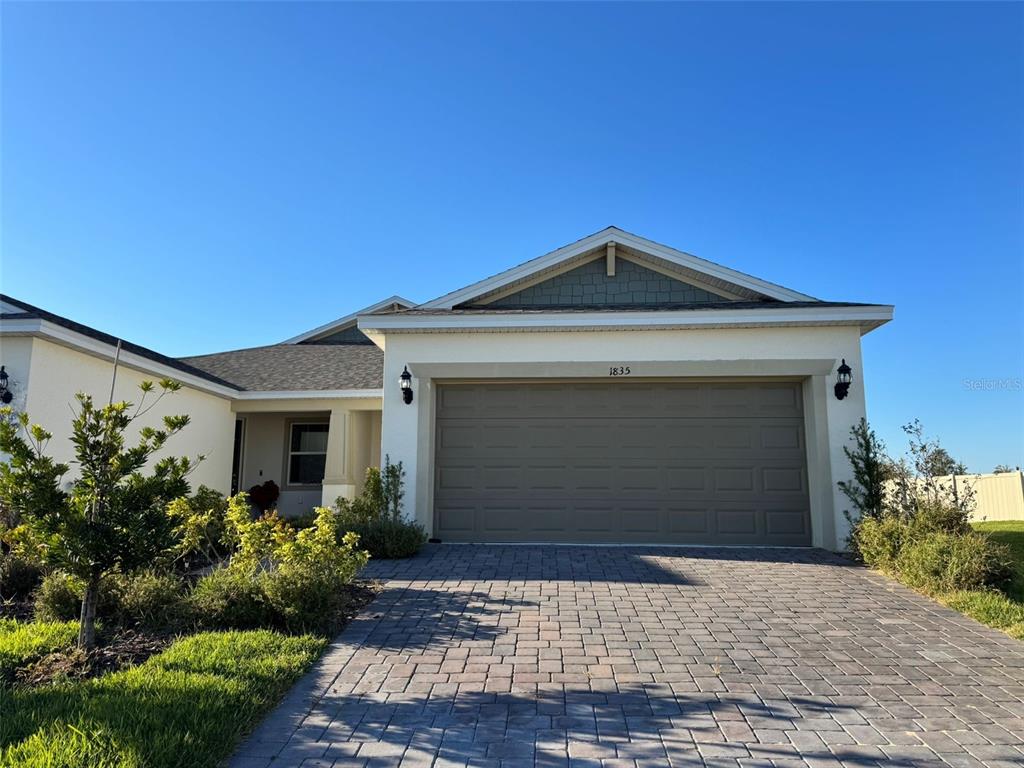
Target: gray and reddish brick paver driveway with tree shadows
[[490, 656]]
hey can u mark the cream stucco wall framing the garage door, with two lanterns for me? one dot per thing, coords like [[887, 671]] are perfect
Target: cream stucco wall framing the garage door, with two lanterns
[[810, 355]]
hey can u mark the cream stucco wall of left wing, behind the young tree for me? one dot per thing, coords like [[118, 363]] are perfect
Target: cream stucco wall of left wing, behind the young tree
[[49, 375]]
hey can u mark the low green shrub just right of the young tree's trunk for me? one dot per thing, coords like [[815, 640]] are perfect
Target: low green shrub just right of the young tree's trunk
[[149, 600]]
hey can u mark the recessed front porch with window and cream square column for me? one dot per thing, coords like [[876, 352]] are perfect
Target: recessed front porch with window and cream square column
[[315, 450]]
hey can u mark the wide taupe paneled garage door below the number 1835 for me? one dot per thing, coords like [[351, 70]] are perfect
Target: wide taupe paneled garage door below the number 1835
[[638, 462]]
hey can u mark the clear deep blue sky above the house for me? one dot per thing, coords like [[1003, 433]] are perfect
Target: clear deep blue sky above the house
[[206, 177]]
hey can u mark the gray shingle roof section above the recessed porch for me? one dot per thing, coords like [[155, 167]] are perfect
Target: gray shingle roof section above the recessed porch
[[297, 367]]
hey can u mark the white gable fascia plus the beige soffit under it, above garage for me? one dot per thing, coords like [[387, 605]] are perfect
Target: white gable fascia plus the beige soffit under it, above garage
[[687, 268]]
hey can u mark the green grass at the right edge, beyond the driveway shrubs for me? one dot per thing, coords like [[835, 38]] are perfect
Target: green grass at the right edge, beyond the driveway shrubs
[[1003, 610]]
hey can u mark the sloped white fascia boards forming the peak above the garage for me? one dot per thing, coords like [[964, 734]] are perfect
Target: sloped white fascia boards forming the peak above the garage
[[615, 235]]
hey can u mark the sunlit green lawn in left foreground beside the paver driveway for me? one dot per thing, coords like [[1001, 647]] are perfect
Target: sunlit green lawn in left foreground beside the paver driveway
[[187, 707]]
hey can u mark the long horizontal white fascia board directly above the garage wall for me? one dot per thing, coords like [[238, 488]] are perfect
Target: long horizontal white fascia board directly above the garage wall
[[870, 317]]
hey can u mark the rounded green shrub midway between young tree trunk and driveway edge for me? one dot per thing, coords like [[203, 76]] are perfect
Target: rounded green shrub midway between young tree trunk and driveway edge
[[229, 600]]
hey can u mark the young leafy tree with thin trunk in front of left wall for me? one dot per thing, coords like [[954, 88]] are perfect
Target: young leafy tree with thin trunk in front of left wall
[[113, 518]]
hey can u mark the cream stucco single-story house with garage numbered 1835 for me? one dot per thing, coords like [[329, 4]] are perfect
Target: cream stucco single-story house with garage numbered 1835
[[614, 391]]
